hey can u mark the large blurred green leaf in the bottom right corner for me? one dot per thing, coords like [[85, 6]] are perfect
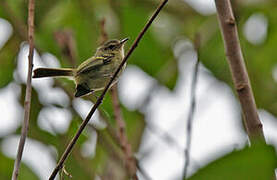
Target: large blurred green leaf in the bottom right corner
[[257, 162]]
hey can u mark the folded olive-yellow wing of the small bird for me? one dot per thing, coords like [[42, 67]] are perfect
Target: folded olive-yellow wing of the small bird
[[93, 63]]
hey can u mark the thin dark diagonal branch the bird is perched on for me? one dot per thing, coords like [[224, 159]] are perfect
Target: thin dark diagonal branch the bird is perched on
[[100, 99]]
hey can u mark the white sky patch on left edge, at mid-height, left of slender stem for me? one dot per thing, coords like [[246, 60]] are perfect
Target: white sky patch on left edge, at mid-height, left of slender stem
[[11, 110]]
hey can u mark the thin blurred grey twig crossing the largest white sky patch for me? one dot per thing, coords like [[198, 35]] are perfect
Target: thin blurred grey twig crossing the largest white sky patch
[[192, 108]]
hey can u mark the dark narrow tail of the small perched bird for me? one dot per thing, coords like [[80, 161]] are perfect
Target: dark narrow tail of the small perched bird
[[52, 72]]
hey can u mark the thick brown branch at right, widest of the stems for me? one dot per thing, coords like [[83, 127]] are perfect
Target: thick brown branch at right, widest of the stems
[[239, 73]]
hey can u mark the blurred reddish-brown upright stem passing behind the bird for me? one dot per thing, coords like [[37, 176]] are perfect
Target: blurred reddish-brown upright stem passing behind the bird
[[130, 162]]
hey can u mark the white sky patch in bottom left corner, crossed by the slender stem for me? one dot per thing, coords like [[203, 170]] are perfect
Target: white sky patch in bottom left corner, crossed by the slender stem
[[37, 156]]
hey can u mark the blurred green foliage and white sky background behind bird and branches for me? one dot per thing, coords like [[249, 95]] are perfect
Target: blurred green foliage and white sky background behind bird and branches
[[154, 90]]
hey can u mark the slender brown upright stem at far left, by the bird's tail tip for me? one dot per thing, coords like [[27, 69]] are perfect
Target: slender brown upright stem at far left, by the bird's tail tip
[[27, 103]]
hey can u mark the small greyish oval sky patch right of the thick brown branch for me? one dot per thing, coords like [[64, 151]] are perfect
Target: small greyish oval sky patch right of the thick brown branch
[[255, 28]]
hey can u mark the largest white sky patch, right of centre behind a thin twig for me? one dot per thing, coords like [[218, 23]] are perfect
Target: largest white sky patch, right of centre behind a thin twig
[[168, 111]]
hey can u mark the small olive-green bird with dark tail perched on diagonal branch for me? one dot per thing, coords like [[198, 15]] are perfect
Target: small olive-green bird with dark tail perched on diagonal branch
[[95, 73]]
